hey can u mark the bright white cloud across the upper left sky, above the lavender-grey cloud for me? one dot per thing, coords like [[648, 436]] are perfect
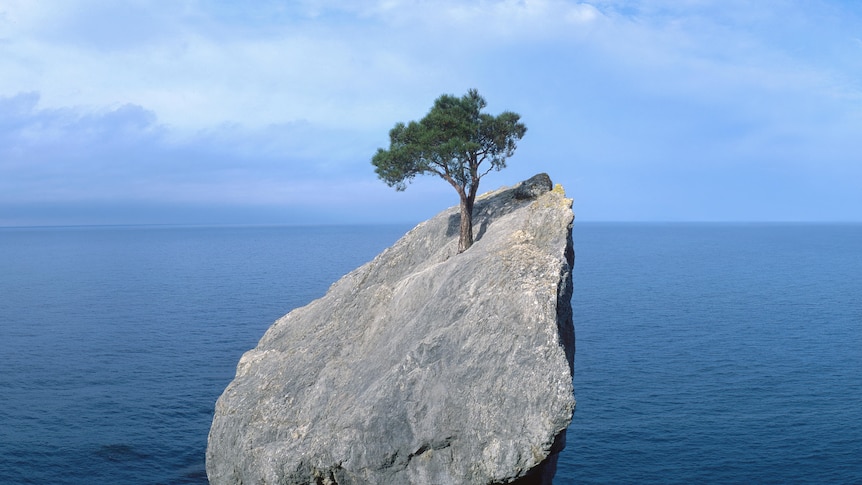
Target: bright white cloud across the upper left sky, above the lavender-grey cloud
[[194, 67]]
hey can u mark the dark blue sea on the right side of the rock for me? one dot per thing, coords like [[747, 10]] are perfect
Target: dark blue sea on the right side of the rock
[[717, 354]]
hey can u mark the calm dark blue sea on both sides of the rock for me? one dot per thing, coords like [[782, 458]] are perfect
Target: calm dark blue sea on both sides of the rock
[[706, 353]]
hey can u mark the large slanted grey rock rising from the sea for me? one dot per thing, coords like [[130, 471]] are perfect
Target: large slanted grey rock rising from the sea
[[423, 366]]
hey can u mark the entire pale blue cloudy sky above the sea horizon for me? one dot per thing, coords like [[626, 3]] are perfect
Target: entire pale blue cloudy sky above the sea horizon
[[268, 112]]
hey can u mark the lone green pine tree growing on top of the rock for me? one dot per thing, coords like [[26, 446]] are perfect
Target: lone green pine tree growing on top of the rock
[[451, 141]]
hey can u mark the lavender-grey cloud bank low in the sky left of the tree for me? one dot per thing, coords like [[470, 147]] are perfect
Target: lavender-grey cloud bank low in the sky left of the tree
[[71, 154]]
